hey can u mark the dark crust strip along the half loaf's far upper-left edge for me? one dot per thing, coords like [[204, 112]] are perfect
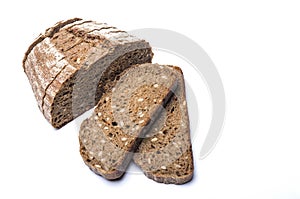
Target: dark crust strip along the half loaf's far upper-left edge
[[48, 33]]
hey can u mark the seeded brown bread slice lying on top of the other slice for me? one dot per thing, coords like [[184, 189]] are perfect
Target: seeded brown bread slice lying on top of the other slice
[[122, 117]]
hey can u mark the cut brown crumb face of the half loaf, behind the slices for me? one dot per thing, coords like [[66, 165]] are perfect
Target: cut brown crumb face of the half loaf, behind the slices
[[66, 107]]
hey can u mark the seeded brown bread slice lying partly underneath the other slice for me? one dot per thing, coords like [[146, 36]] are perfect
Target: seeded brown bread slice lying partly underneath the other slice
[[165, 155]]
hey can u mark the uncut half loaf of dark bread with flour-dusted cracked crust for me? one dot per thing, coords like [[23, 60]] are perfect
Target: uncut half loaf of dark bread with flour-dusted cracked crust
[[74, 62]]
